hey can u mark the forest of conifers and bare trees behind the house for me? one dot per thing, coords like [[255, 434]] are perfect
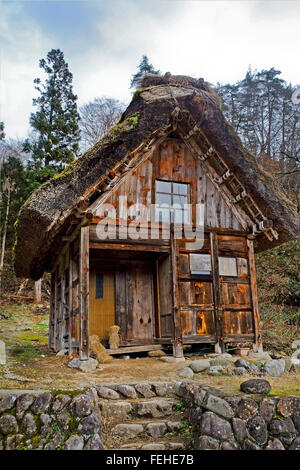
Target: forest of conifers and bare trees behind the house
[[260, 109]]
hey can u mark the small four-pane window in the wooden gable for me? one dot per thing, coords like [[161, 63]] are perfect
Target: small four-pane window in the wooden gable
[[172, 199]]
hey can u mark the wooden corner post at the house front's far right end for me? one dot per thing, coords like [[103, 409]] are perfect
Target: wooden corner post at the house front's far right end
[[257, 346]]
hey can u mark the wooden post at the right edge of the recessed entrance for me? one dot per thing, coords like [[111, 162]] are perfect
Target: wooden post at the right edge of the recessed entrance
[[177, 341]]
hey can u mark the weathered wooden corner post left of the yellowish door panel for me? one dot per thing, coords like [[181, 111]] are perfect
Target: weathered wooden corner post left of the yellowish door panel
[[84, 292]]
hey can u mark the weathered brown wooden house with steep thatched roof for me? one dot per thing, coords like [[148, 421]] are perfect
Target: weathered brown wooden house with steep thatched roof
[[172, 145]]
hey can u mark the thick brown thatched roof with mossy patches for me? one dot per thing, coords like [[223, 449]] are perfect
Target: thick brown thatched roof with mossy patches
[[164, 104]]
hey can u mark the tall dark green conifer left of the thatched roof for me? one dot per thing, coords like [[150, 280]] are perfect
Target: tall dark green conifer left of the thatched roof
[[56, 122]]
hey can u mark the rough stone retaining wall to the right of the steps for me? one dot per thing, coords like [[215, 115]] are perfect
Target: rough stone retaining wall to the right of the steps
[[241, 422]]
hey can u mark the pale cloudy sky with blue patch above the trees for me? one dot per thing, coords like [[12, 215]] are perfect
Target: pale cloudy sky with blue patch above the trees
[[103, 41]]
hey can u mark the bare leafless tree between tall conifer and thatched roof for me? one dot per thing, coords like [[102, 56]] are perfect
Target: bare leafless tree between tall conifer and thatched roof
[[97, 118]]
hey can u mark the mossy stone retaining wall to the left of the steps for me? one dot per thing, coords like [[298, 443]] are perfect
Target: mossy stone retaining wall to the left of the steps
[[49, 421]]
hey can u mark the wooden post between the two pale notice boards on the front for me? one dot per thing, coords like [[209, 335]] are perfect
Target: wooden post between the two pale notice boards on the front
[[218, 312]]
